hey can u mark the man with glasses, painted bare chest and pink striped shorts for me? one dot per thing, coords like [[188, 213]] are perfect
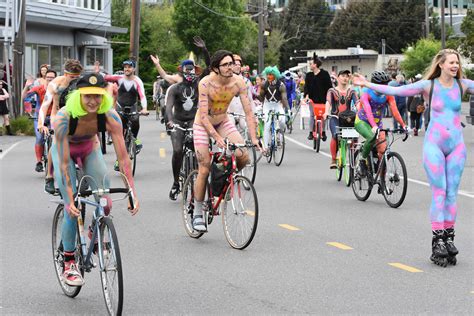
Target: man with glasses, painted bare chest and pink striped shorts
[[215, 93]]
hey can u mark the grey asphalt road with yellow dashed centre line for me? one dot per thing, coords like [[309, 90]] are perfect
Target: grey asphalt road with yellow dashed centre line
[[283, 271]]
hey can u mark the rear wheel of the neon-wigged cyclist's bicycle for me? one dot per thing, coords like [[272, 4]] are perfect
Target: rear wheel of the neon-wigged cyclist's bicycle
[[58, 254]]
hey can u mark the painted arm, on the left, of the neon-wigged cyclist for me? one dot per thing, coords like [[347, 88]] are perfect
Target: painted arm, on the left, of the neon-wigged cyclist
[[61, 138]]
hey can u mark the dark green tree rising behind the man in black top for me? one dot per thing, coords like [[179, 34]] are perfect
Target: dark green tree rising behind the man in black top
[[304, 25]]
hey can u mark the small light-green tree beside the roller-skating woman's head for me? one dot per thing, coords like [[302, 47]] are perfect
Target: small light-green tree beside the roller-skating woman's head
[[418, 58]]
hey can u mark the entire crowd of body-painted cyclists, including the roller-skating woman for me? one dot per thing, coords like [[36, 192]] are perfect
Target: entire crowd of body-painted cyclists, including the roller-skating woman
[[77, 106]]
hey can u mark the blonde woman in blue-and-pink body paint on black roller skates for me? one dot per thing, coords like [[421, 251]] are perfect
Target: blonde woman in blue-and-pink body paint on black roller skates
[[444, 151]]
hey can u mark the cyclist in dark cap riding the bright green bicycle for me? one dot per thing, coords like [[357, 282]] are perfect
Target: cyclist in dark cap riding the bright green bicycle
[[339, 99]]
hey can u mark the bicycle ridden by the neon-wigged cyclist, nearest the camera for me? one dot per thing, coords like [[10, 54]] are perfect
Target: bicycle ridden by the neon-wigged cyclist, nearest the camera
[[103, 243]]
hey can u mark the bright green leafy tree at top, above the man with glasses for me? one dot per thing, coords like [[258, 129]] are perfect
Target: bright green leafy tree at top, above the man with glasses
[[222, 24]]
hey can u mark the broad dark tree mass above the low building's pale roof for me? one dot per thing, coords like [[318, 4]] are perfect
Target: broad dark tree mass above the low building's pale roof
[[365, 23]]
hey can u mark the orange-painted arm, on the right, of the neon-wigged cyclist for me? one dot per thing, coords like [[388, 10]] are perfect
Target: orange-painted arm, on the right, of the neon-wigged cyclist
[[114, 128]]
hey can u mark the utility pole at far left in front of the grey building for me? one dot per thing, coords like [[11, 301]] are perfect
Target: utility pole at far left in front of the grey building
[[19, 59]]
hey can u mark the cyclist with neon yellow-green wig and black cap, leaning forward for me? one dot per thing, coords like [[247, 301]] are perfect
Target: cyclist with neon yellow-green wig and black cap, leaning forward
[[88, 110]]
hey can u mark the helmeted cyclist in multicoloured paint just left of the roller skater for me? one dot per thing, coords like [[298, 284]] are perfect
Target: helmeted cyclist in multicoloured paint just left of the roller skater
[[369, 117]]
